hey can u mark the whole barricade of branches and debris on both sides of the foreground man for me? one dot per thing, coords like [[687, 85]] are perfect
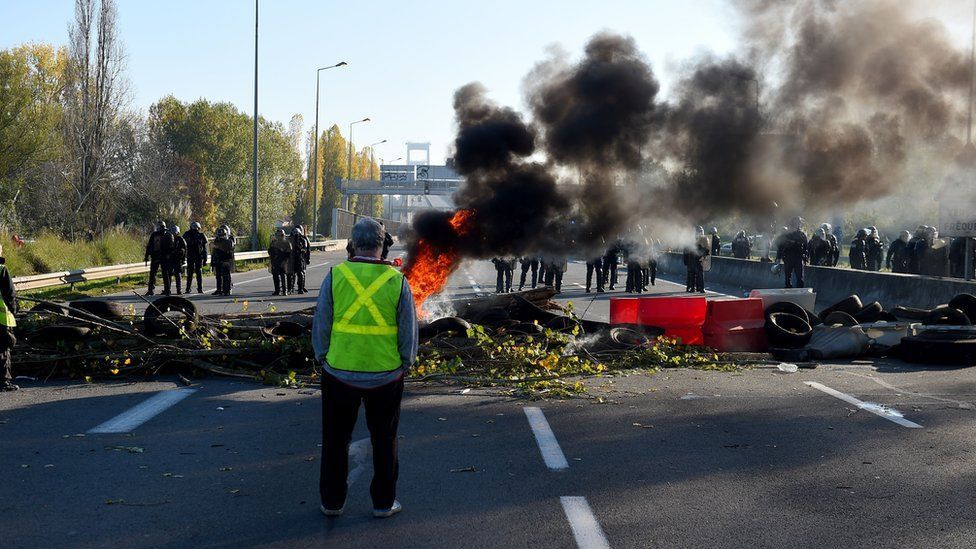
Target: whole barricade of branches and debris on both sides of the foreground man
[[522, 344]]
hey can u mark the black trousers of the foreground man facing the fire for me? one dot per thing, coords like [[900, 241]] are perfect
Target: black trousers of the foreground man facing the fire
[[340, 407]]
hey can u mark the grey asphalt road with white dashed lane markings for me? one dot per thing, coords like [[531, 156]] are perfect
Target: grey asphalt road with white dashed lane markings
[[860, 454]]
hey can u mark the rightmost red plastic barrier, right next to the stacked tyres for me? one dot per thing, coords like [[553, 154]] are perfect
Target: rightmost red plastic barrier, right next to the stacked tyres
[[735, 325]]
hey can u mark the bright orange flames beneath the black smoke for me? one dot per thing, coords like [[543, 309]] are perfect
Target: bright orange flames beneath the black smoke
[[430, 268]]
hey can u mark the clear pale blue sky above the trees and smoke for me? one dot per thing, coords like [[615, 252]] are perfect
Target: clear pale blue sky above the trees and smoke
[[405, 58]]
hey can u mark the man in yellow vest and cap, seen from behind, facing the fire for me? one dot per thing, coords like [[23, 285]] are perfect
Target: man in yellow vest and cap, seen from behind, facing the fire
[[365, 337]]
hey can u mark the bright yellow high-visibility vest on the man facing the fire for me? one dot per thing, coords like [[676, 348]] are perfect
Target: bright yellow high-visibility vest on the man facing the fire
[[365, 297]]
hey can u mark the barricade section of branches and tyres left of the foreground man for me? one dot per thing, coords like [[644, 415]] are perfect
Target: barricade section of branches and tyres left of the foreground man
[[67, 341]]
